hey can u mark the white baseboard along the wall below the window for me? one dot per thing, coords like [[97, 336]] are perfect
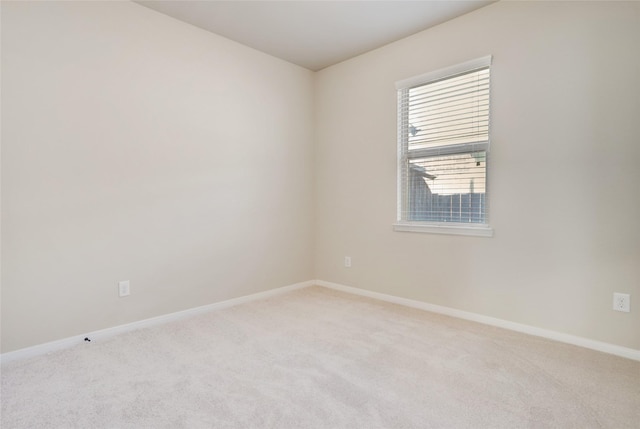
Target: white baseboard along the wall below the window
[[526, 329]]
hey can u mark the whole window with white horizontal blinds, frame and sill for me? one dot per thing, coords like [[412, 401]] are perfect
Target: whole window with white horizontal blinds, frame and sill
[[443, 145]]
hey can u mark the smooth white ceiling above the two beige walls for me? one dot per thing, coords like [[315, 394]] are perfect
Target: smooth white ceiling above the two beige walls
[[315, 34]]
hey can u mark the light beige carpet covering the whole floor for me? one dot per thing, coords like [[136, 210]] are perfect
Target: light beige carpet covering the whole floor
[[317, 358]]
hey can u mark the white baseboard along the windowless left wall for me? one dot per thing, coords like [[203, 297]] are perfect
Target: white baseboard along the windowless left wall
[[42, 349]]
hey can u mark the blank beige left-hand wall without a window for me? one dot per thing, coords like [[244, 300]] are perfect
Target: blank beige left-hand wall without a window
[[136, 147]]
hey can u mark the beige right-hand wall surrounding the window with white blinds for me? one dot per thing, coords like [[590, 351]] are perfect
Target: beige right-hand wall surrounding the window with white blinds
[[565, 170]]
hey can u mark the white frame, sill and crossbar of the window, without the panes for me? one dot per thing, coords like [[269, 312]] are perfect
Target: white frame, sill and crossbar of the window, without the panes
[[453, 228]]
